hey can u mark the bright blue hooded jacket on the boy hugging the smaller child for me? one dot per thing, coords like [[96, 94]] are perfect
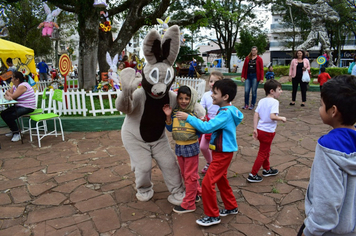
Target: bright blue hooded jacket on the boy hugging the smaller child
[[222, 127]]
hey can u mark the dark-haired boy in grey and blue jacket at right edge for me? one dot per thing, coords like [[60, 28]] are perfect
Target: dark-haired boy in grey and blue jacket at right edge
[[330, 202]]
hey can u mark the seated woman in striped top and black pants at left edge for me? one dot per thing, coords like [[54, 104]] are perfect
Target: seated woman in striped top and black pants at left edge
[[23, 93]]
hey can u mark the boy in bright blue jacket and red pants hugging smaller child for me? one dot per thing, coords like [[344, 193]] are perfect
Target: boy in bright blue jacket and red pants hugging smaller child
[[223, 145]]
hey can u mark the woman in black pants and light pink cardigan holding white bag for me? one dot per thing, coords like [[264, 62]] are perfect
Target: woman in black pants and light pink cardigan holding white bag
[[298, 65]]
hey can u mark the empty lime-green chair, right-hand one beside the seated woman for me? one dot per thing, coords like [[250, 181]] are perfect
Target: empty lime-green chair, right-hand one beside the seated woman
[[57, 100]]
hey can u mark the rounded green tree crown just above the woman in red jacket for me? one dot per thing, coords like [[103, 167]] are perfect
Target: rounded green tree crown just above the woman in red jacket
[[250, 37]]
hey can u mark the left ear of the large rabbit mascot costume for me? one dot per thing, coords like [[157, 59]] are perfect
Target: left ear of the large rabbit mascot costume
[[152, 47]]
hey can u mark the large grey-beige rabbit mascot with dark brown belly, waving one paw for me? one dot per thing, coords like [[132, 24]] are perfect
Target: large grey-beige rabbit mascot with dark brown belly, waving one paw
[[143, 131]]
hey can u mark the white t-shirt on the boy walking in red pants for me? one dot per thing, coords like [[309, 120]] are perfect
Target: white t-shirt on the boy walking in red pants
[[266, 106]]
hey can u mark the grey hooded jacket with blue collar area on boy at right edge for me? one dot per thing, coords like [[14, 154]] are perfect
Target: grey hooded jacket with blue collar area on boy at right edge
[[330, 202]]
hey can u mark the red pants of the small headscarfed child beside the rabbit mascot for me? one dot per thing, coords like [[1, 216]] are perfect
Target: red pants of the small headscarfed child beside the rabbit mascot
[[189, 169]]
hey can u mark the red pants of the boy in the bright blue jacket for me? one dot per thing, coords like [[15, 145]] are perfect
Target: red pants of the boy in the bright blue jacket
[[217, 174]]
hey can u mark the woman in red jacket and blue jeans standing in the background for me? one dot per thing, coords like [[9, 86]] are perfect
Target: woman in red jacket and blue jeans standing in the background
[[252, 74]]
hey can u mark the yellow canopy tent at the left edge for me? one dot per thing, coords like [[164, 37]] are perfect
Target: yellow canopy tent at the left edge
[[22, 57]]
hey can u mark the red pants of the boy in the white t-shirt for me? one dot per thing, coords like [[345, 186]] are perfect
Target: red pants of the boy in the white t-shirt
[[262, 158]]
